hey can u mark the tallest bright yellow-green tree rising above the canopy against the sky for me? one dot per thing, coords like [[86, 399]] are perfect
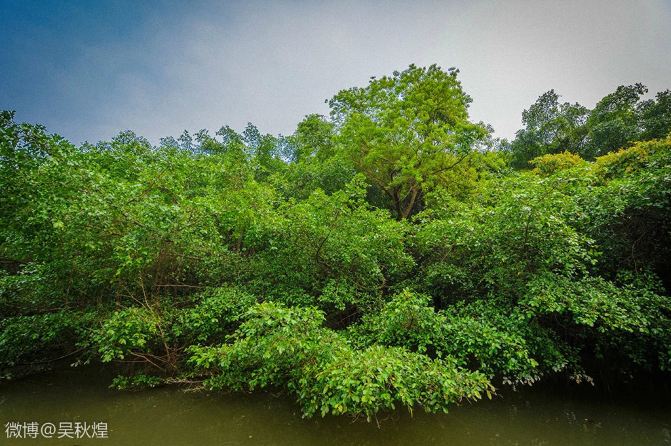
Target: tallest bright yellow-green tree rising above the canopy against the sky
[[406, 131]]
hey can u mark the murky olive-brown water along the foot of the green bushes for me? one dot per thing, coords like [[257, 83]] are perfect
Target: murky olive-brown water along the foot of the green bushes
[[168, 416]]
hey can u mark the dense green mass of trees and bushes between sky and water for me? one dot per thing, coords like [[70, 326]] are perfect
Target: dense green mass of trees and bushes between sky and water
[[391, 254]]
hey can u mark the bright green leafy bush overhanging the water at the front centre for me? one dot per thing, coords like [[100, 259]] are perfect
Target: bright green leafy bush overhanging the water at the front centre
[[288, 348]]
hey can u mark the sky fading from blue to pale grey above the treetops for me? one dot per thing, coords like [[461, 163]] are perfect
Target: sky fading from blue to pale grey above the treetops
[[89, 69]]
